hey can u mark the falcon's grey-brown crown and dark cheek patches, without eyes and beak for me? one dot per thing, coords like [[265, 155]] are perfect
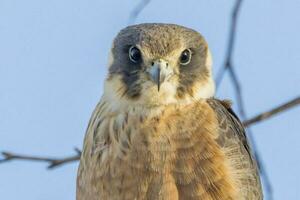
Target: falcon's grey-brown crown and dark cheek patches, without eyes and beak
[[157, 41]]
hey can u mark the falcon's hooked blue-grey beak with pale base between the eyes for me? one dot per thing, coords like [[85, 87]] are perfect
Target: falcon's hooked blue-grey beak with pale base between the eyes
[[159, 71]]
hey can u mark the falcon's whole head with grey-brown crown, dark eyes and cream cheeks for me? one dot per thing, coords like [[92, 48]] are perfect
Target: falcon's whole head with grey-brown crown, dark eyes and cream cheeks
[[158, 64]]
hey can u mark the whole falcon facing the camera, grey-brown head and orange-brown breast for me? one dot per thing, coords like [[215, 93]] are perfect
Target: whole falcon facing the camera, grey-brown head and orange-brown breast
[[158, 132]]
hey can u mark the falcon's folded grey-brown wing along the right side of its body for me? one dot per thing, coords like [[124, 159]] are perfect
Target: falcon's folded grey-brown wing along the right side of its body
[[232, 138]]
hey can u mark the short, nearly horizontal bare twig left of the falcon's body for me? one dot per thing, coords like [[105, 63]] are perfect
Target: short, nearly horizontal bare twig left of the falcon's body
[[52, 162]]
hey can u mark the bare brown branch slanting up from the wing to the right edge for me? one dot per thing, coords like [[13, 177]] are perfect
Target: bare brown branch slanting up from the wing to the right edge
[[272, 112]]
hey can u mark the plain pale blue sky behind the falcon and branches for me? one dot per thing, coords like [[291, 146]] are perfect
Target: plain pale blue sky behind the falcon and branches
[[53, 57]]
